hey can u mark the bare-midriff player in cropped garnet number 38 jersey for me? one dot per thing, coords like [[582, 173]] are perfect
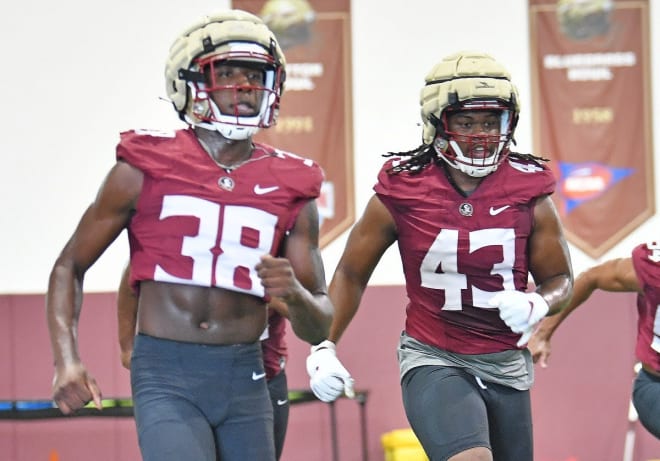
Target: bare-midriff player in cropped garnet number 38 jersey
[[218, 226]]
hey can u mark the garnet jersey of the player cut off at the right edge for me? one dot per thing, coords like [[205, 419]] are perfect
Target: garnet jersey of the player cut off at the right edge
[[646, 260]]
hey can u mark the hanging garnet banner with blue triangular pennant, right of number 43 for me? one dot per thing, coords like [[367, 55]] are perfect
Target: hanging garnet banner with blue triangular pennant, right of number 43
[[591, 98]]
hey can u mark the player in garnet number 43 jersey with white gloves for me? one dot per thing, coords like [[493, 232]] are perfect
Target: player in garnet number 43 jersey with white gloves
[[471, 220]]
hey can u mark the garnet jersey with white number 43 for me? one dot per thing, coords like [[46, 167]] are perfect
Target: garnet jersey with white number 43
[[457, 251]]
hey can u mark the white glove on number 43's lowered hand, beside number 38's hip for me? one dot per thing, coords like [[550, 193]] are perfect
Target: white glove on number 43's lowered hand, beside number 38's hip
[[328, 377]]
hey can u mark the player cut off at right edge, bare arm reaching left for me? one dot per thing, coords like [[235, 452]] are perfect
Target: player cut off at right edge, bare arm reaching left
[[639, 273]]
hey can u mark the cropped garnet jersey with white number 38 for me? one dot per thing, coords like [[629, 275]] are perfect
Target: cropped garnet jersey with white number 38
[[198, 223]]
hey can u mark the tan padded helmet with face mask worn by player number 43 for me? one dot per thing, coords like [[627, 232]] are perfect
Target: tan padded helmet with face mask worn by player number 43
[[472, 84]]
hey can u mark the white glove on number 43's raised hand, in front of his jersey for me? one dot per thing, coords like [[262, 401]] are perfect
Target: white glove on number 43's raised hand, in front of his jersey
[[520, 311]]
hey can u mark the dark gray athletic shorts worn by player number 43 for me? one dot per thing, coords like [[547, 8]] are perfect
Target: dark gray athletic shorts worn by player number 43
[[451, 411]]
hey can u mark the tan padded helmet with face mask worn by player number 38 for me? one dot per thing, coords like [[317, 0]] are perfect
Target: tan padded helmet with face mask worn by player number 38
[[240, 43]]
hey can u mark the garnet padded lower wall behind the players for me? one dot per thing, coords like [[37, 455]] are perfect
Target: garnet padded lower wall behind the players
[[580, 402]]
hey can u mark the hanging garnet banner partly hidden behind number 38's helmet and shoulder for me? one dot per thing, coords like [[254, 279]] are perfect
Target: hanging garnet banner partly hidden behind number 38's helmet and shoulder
[[315, 119]]
